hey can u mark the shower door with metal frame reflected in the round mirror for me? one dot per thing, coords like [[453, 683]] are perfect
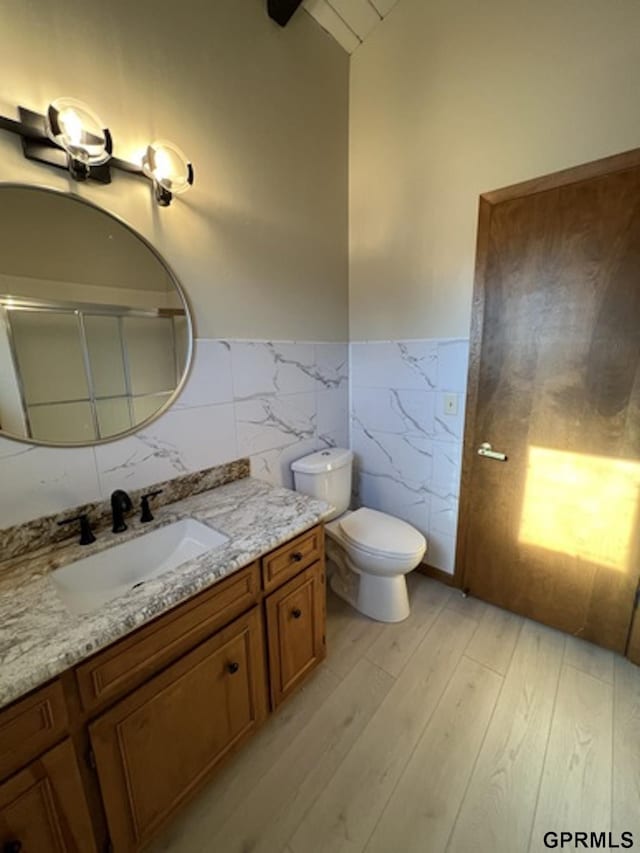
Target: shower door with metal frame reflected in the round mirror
[[107, 368]]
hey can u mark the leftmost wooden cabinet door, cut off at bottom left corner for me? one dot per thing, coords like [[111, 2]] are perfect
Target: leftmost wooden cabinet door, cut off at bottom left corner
[[43, 808]]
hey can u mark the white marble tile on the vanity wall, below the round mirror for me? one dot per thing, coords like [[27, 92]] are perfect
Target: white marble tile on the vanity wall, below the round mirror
[[270, 401]]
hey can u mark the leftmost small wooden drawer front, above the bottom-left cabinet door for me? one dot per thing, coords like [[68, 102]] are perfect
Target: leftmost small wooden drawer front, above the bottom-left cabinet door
[[30, 726]]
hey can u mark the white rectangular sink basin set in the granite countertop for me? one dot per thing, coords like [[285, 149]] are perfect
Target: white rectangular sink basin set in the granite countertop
[[93, 581]]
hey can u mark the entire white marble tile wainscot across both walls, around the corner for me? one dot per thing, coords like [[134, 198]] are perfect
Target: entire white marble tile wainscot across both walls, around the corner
[[273, 402]]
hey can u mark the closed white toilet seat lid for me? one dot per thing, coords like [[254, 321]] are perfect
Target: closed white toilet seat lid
[[371, 532]]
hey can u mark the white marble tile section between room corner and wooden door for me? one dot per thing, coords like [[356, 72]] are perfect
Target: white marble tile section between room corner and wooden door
[[407, 449]]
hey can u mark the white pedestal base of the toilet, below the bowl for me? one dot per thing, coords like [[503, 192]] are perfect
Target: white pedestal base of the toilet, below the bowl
[[384, 599]]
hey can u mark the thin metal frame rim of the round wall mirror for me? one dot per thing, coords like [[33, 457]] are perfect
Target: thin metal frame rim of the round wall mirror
[[188, 314]]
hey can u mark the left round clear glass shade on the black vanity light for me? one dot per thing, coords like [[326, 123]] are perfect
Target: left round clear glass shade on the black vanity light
[[76, 128]]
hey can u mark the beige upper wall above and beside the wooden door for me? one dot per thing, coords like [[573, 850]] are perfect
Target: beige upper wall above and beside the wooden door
[[452, 99]]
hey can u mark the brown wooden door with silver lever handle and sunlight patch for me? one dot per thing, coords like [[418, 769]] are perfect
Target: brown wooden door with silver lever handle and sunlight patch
[[552, 532]]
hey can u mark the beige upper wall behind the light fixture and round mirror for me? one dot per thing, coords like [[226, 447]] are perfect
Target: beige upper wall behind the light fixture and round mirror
[[260, 242]]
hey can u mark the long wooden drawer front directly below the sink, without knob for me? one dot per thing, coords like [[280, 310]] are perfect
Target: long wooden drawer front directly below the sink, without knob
[[123, 666]]
